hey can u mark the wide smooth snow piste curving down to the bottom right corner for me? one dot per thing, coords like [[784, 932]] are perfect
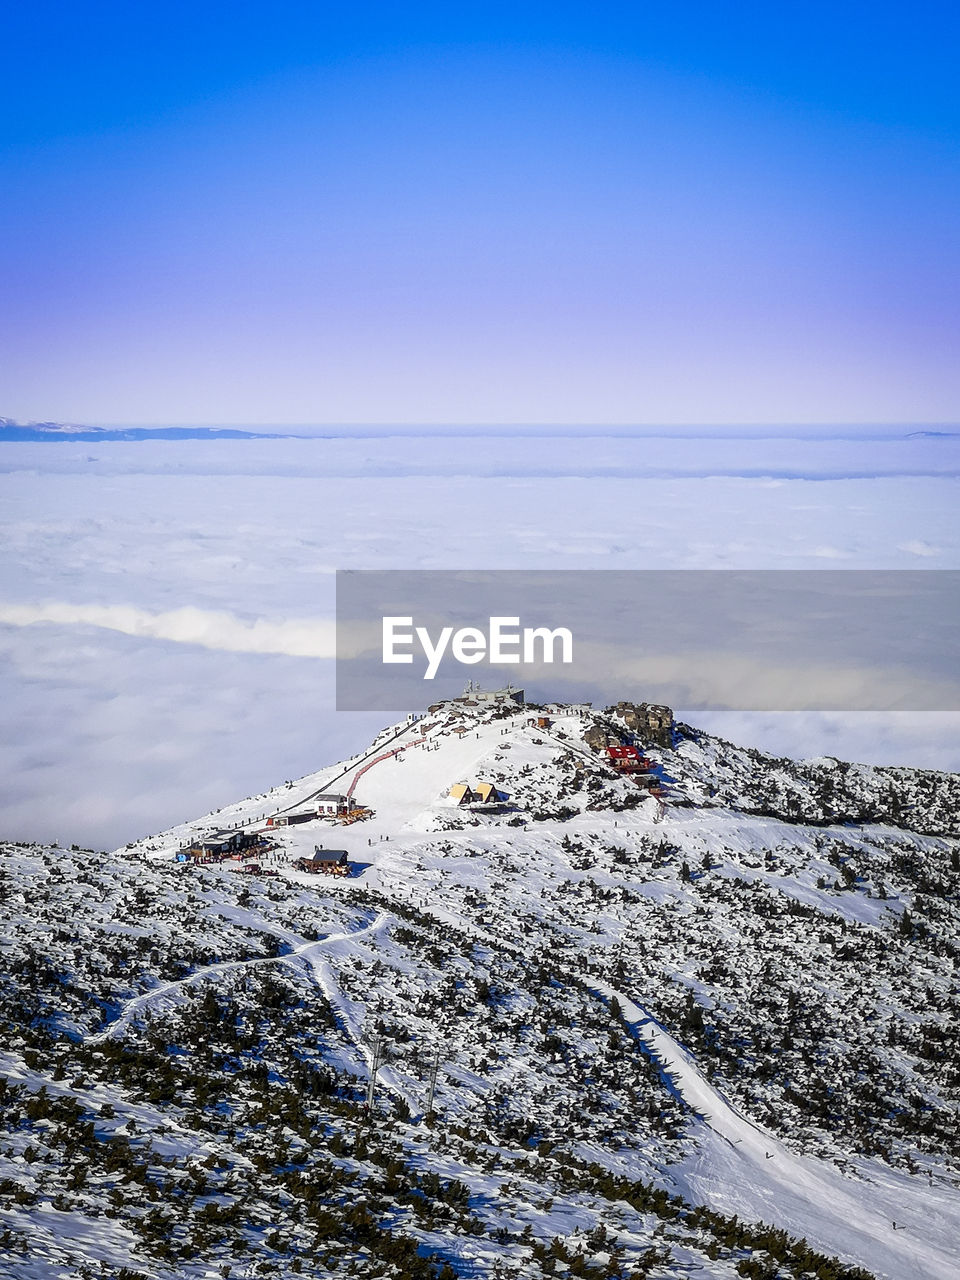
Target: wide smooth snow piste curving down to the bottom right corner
[[743, 1169]]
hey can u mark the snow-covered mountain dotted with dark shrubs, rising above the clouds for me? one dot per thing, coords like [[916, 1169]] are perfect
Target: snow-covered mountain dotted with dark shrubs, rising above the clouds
[[701, 1027]]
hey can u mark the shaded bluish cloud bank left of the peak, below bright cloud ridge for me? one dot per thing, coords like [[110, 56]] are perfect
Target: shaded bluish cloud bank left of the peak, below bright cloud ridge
[[108, 737]]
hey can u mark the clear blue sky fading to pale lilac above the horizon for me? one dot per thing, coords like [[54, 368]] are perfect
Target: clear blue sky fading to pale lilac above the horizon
[[693, 213]]
